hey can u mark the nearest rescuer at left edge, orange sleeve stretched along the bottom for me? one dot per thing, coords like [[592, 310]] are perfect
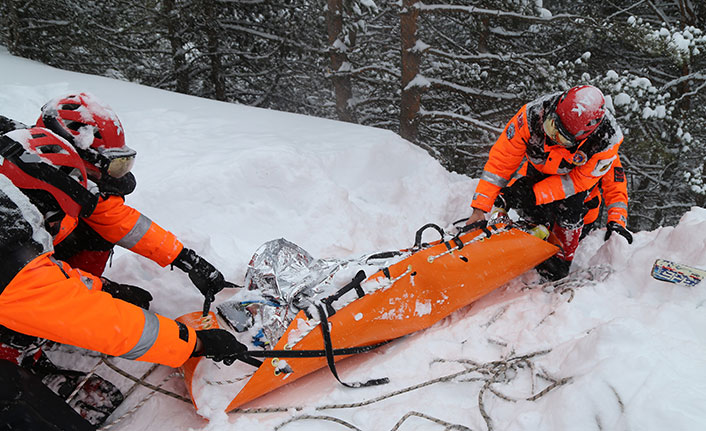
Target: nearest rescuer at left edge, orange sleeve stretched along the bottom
[[43, 187]]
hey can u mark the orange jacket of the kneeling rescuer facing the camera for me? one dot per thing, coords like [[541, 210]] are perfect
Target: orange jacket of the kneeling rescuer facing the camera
[[567, 173]]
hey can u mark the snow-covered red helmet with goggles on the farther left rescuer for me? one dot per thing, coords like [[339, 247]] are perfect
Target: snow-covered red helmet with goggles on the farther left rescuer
[[94, 129]]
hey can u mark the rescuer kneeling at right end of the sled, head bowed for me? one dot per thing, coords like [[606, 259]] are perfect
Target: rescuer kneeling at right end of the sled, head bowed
[[558, 147]]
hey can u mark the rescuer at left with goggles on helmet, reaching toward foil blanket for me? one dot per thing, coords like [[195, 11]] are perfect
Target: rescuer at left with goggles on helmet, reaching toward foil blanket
[[96, 133]]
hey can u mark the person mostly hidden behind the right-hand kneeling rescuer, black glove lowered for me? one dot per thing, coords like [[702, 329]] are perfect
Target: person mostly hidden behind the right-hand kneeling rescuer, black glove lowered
[[615, 193]]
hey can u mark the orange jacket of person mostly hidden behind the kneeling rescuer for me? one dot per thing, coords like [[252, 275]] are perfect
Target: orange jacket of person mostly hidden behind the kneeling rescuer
[[615, 194]]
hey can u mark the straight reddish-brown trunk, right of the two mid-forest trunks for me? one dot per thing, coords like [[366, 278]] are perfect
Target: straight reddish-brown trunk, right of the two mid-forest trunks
[[411, 95]]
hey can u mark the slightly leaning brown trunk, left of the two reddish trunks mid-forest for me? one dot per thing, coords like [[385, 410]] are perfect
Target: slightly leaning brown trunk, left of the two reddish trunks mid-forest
[[337, 48]]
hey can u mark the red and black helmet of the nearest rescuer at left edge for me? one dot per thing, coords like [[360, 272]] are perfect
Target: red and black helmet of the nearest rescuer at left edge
[[37, 159]]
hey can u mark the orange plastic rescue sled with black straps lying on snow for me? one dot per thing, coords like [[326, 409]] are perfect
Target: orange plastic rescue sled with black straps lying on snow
[[415, 293]]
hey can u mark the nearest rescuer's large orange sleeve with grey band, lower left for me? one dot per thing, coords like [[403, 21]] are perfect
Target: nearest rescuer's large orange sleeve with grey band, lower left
[[51, 300]]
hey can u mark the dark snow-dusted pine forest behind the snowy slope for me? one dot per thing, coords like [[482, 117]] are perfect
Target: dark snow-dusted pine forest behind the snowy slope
[[446, 75]]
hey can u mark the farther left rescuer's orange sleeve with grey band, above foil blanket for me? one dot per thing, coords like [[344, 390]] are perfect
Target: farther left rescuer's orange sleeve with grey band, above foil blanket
[[125, 226]]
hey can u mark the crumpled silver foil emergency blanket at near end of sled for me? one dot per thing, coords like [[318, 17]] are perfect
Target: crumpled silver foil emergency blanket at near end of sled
[[289, 279]]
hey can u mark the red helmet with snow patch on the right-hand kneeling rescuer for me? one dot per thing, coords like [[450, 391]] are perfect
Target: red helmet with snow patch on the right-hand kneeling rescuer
[[579, 111]]
